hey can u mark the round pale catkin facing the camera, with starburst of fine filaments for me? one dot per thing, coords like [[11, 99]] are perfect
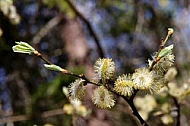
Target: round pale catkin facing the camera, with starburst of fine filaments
[[143, 78]]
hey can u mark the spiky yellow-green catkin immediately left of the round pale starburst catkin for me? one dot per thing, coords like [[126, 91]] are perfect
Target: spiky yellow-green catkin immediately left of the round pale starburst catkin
[[124, 85]]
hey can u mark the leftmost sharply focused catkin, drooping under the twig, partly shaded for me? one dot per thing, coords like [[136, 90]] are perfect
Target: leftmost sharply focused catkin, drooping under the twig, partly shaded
[[77, 89]]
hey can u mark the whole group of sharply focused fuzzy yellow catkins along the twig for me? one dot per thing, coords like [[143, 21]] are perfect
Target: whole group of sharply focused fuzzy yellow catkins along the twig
[[150, 79]]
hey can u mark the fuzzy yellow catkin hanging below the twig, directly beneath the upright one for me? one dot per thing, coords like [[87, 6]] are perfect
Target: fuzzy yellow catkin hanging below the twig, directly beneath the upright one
[[102, 98]]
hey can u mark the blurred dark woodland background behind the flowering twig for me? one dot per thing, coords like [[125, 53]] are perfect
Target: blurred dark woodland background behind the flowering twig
[[74, 34]]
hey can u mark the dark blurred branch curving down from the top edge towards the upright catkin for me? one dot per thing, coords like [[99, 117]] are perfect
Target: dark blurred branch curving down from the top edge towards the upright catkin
[[79, 14]]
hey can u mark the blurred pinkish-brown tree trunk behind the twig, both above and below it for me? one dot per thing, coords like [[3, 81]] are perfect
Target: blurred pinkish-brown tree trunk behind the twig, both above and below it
[[78, 54]]
